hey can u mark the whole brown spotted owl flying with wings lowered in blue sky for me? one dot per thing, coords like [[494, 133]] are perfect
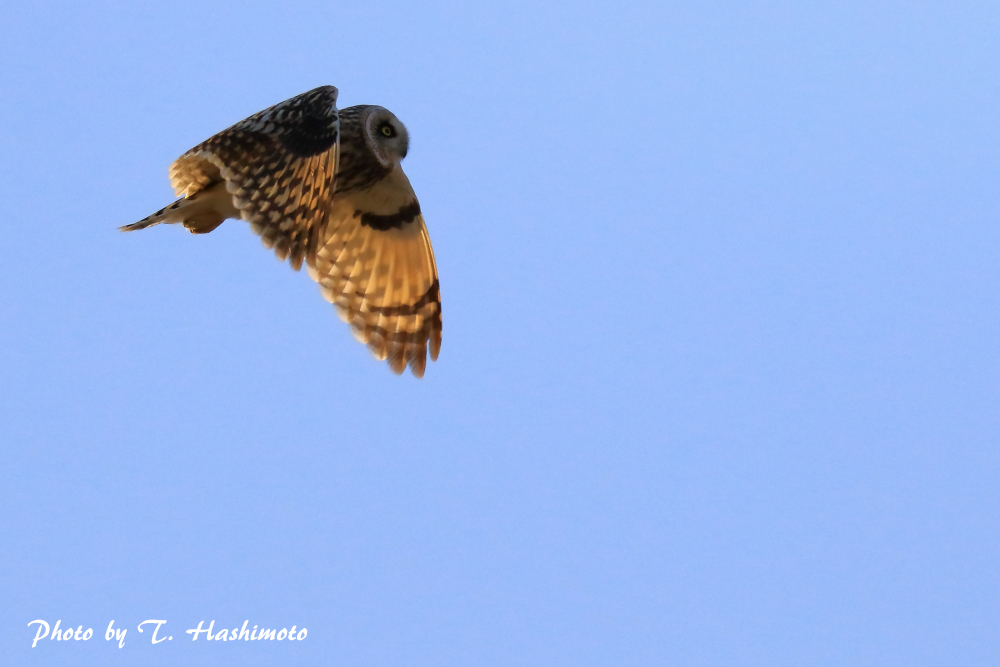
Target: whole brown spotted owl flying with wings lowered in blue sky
[[324, 187]]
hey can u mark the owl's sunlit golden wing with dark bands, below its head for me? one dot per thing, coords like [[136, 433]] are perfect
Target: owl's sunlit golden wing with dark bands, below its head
[[376, 265]]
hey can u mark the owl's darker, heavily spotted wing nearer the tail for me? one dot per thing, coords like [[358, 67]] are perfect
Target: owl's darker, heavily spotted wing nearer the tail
[[279, 165]]
